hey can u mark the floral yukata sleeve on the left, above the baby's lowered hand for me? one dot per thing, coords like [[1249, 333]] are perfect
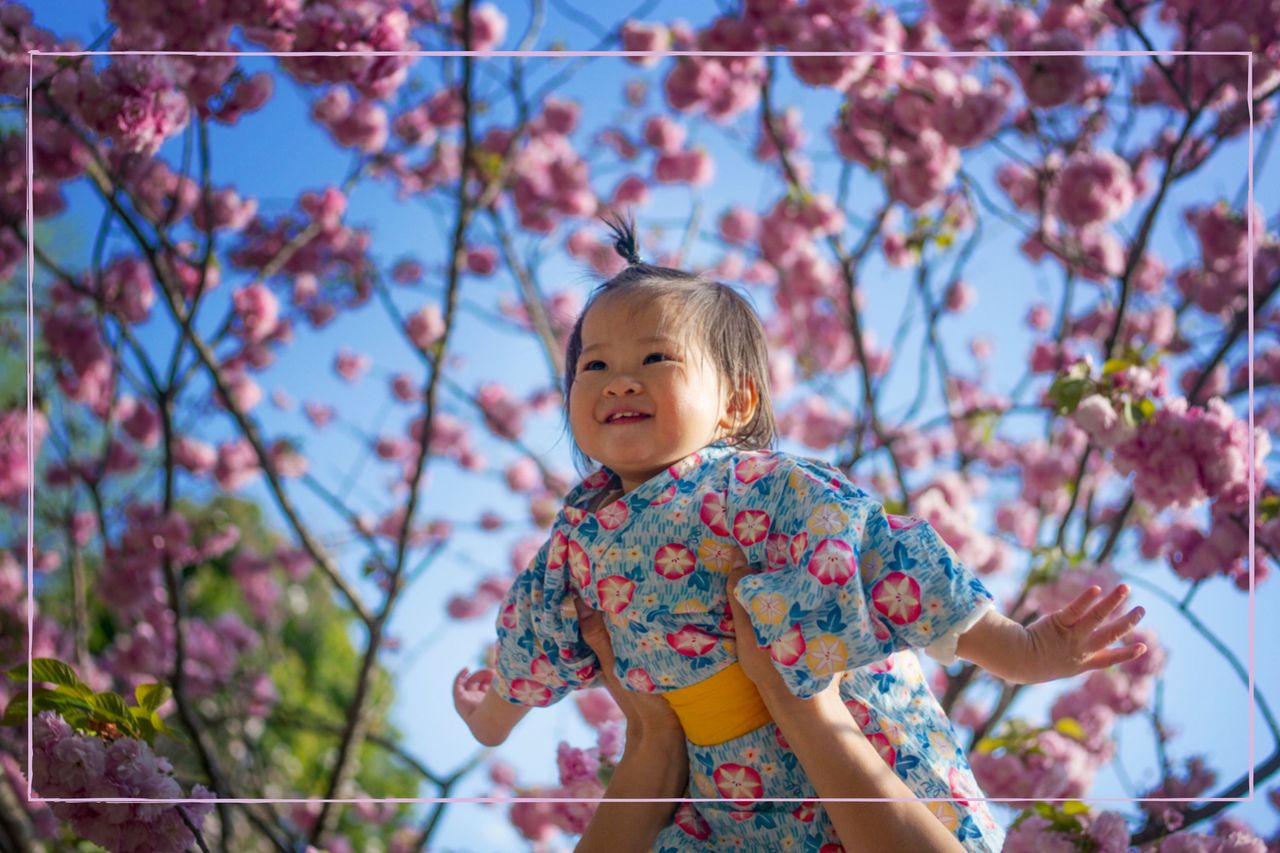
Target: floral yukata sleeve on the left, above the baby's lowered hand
[[541, 653]]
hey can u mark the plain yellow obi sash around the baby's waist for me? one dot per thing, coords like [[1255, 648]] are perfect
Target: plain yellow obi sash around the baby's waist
[[720, 709]]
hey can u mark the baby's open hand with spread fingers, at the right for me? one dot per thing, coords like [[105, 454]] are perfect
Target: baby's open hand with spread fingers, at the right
[[1076, 640]]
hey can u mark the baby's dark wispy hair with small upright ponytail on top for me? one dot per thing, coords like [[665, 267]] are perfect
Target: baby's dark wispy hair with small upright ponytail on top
[[715, 314]]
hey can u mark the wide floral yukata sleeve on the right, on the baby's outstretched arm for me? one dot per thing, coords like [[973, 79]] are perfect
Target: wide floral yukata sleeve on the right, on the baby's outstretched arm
[[842, 583]]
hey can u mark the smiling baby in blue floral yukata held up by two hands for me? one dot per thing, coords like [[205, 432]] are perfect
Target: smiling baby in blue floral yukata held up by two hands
[[666, 386]]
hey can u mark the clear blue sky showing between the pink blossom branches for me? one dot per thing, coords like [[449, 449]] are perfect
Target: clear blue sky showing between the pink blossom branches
[[277, 153]]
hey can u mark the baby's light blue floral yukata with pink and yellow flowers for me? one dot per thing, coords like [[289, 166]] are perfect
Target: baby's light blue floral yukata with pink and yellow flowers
[[843, 592]]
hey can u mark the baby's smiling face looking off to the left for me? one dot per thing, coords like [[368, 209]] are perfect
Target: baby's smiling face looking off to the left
[[642, 402]]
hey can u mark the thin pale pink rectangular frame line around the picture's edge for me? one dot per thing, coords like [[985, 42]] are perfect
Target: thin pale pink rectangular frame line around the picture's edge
[[564, 54]]
